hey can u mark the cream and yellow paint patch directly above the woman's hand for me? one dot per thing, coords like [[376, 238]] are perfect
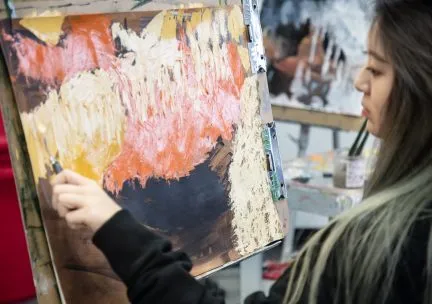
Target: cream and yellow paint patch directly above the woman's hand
[[85, 113]]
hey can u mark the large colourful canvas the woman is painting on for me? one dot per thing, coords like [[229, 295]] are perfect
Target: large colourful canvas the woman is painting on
[[163, 111]]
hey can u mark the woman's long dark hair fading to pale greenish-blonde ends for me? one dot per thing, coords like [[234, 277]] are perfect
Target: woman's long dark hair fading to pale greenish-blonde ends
[[359, 251]]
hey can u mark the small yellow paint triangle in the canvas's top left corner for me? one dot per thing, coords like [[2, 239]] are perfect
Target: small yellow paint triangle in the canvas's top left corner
[[47, 29]]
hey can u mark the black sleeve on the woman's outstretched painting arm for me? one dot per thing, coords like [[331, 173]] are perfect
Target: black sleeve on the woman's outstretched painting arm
[[152, 272]]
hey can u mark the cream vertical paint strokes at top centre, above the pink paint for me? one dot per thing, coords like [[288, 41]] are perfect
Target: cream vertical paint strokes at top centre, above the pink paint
[[150, 55]]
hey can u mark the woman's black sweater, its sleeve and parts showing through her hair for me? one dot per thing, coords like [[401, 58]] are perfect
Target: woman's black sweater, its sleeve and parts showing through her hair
[[155, 274]]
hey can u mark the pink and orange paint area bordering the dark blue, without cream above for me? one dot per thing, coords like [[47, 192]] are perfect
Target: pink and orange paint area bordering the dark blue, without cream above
[[170, 144]]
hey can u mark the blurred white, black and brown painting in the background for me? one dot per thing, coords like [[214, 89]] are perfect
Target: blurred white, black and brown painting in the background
[[315, 49]]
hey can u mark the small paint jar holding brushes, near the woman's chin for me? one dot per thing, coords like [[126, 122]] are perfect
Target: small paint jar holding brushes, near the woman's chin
[[348, 171]]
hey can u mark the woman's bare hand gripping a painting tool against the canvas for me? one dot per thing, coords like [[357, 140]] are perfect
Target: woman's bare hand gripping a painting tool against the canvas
[[81, 201]]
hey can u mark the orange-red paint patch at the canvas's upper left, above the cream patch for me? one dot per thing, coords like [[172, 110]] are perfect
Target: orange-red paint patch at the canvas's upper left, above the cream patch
[[88, 45]]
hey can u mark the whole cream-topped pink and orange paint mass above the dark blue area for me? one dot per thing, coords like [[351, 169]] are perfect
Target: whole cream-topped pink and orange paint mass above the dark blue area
[[181, 94]]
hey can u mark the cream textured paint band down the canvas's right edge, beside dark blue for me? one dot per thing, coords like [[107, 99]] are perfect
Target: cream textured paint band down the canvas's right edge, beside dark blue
[[255, 219]]
